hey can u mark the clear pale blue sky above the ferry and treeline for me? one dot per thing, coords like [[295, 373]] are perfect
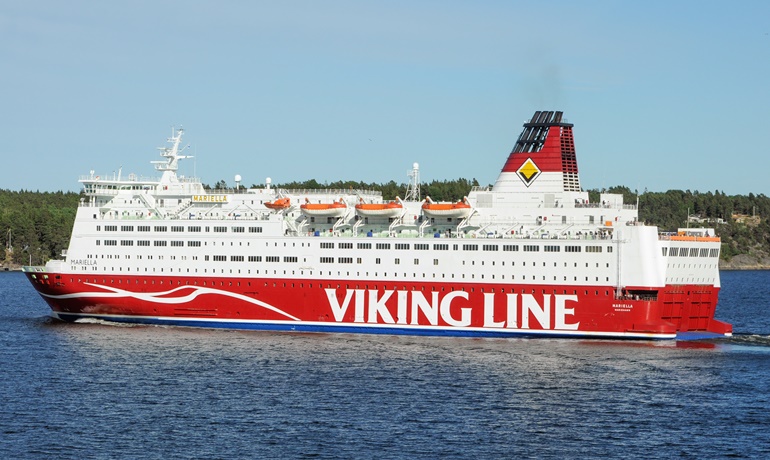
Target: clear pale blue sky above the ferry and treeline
[[664, 95]]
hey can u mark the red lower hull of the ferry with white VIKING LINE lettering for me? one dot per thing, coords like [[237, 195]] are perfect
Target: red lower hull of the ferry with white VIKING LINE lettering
[[413, 308]]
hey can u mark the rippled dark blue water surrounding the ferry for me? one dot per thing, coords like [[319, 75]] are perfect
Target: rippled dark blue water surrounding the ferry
[[105, 391]]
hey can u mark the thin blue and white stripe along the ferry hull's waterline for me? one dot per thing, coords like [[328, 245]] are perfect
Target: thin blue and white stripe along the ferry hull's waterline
[[304, 327]]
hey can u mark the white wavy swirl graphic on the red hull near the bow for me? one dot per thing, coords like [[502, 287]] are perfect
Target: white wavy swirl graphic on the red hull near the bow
[[156, 297]]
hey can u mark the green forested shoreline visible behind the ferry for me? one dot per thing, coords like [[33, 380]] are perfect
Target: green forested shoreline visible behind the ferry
[[39, 223]]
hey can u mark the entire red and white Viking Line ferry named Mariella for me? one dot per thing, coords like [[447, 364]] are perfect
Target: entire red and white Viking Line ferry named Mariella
[[529, 256]]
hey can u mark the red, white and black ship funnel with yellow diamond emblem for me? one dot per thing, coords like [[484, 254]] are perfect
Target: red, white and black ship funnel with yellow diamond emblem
[[543, 159]]
